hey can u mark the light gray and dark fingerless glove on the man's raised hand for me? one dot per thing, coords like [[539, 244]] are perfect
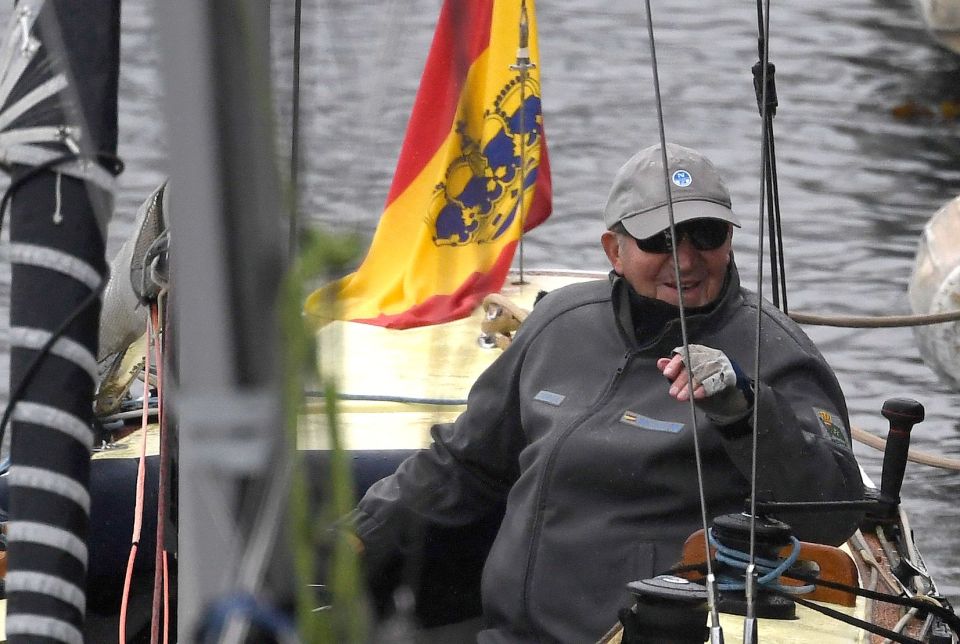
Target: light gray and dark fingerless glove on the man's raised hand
[[729, 393]]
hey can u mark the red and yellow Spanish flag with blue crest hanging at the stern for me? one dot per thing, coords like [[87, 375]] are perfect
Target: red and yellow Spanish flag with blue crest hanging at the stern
[[473, 172]]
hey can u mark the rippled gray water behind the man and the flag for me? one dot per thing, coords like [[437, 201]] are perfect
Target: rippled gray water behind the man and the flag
[[856, 183]]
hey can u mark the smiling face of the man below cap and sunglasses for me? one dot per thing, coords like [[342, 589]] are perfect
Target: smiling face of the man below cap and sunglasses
[[652, 274]]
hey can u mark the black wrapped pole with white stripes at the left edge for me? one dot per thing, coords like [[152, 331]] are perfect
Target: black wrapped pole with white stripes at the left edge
[[58, 95]]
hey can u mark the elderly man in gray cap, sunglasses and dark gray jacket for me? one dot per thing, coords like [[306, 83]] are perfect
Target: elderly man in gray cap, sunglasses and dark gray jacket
[[577, 427]]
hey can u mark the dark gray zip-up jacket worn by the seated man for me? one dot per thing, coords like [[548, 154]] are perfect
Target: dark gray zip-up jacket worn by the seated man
[[573, 426]]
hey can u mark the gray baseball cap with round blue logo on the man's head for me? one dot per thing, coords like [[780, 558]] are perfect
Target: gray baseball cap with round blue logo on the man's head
[[638, 201]]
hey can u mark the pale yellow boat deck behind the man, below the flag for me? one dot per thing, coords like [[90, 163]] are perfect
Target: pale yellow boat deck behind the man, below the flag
[[434, 362]]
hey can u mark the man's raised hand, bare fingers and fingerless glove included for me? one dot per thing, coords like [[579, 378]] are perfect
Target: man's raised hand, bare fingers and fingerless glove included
[[721, 389]]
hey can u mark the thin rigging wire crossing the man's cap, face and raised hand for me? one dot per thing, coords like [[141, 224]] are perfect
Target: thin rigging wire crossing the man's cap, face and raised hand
[[716, 634]]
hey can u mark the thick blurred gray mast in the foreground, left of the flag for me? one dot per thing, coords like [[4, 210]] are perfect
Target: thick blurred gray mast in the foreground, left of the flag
[[226, 261]]
